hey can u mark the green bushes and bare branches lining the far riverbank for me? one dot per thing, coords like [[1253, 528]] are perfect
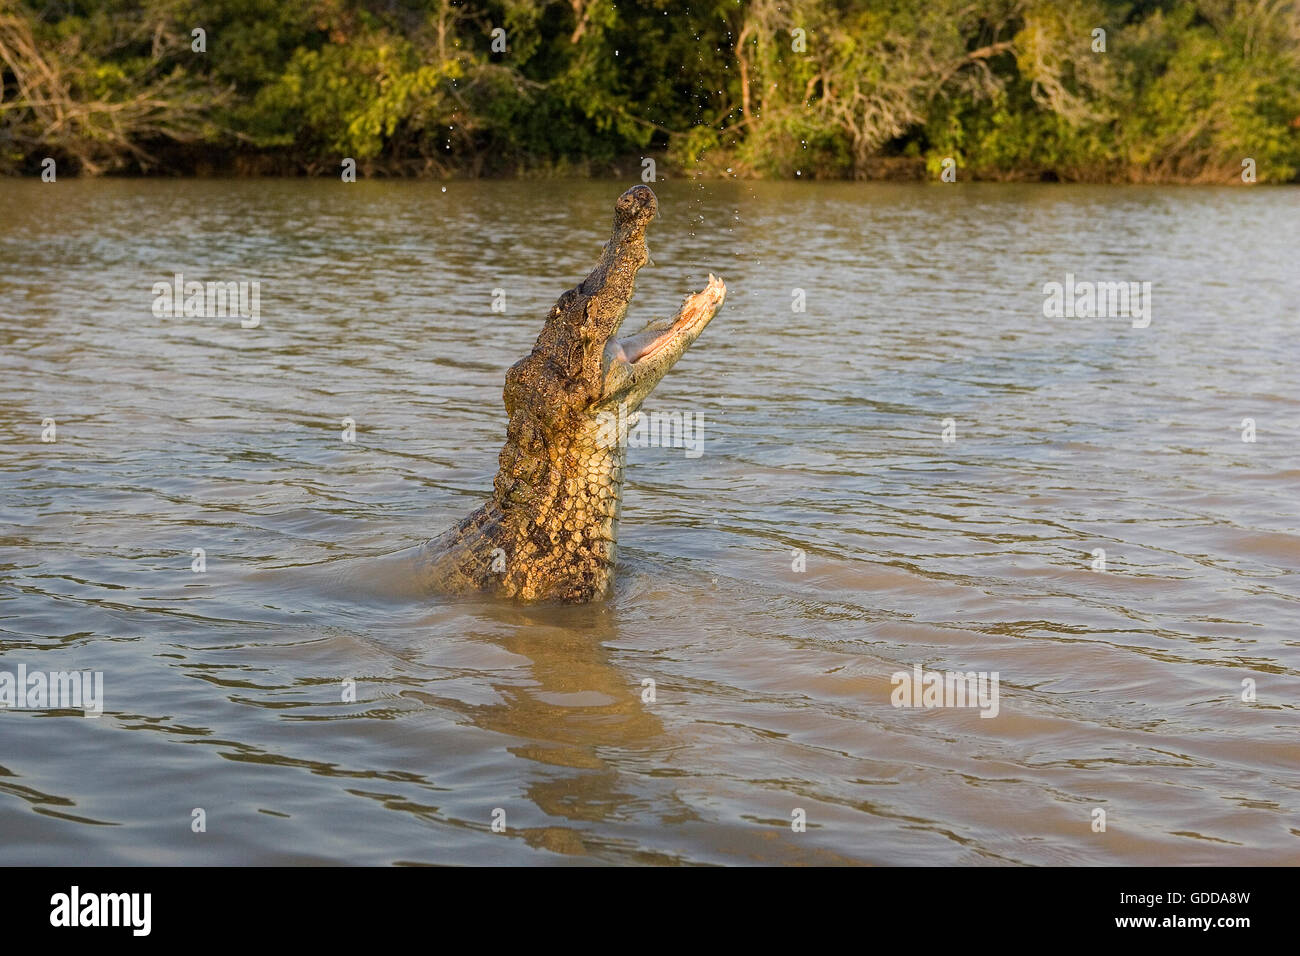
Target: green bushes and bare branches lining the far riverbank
[[1073, 90]]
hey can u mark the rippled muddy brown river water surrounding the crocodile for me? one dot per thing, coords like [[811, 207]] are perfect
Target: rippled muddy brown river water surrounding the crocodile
[[826, 538]]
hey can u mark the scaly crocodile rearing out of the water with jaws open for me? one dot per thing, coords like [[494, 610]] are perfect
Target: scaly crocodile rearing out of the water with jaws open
[[551, 530]]
